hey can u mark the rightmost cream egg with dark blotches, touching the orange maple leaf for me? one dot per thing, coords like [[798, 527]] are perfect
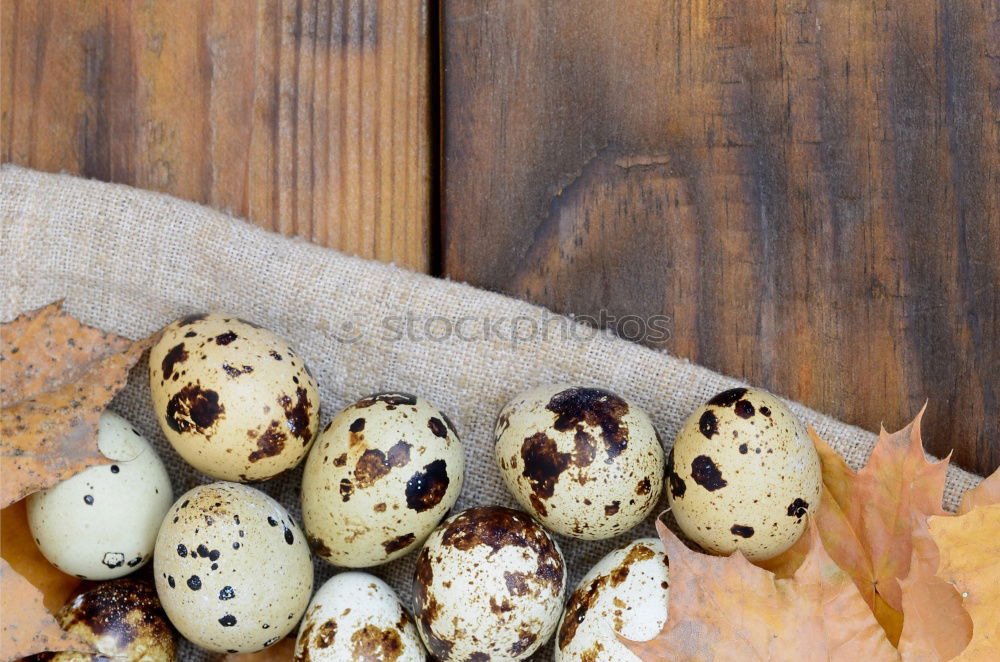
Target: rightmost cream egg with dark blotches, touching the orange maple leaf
[[742, 475]]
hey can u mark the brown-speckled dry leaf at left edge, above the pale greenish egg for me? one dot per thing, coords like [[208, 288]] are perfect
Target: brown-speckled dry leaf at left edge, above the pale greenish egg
[[56, 377]]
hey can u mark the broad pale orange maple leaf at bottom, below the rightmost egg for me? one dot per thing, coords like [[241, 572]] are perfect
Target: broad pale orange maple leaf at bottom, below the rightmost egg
[[725, 608]]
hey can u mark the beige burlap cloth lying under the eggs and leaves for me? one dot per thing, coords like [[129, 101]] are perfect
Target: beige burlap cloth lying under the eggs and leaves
[[131, 261]]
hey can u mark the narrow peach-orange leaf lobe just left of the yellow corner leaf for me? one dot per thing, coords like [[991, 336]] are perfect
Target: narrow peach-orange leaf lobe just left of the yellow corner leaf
[[936, 627]]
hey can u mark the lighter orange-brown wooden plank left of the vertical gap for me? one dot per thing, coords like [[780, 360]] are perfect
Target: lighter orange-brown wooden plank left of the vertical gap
[[310, 117]]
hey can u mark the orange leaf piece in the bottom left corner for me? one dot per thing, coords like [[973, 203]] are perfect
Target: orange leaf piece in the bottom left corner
[[28, 627]]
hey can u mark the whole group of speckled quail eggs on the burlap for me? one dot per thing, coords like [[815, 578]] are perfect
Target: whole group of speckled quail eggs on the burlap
[[233, 571]]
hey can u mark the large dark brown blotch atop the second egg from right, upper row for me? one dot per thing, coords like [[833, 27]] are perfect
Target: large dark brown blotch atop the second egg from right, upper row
[[597, 408]]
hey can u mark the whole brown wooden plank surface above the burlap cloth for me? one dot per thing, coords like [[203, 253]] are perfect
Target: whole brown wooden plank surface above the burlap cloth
[[807, 192]]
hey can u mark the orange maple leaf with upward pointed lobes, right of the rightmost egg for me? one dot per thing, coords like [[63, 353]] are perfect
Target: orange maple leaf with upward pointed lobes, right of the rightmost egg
[[866, 517]]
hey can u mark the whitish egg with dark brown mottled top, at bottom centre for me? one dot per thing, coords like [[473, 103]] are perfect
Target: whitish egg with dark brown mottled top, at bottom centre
[[489, 585]]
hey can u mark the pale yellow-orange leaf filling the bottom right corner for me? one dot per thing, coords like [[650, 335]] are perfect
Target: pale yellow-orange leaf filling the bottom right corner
[[969, 546]]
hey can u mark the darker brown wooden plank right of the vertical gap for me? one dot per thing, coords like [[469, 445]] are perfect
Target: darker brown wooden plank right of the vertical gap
[[808, 190]]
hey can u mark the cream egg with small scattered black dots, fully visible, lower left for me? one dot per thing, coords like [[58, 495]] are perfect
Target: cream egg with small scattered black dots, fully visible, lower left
[[232, 569]]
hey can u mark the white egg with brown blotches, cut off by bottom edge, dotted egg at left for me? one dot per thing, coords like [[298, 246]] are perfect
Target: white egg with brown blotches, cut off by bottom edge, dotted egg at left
[[356, 616]]
